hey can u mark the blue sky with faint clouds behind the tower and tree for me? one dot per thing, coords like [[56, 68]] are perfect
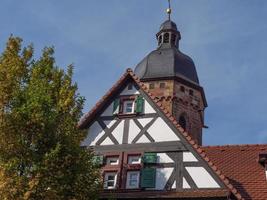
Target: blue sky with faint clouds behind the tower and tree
[[226, 39]]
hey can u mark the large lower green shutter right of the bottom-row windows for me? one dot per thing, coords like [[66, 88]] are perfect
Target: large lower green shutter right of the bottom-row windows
[[148, 178]]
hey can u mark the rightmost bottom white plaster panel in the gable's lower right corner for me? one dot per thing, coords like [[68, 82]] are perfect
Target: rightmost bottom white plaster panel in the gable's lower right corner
[[202, 178]]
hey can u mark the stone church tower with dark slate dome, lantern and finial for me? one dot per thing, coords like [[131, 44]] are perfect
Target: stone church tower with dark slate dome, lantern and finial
[[172, 78]]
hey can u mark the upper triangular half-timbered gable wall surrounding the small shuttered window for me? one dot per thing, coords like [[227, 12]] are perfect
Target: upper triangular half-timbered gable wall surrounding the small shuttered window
[[144, 128]]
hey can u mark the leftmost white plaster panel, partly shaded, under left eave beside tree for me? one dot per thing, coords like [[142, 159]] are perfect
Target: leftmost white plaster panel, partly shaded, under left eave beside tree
[[94, 133]]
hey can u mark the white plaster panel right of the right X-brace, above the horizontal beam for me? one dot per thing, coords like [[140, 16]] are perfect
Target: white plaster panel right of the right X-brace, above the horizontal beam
[[161, 132]]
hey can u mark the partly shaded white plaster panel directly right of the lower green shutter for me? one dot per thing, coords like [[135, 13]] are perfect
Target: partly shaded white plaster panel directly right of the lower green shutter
[[162, 176]]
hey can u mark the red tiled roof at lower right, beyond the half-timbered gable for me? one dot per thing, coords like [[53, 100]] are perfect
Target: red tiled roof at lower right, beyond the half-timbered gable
[[239, 163]]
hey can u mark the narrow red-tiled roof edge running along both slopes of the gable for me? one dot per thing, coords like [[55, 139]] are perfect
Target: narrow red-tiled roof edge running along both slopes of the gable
[[87, 118]]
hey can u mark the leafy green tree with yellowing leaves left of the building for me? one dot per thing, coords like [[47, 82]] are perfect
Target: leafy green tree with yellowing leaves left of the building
[[40, 153]]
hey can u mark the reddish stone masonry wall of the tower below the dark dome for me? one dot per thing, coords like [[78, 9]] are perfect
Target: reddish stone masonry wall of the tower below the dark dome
[[181, 100]]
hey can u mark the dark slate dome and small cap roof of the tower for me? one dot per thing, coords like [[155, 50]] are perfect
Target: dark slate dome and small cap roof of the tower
[[167, 61]]
